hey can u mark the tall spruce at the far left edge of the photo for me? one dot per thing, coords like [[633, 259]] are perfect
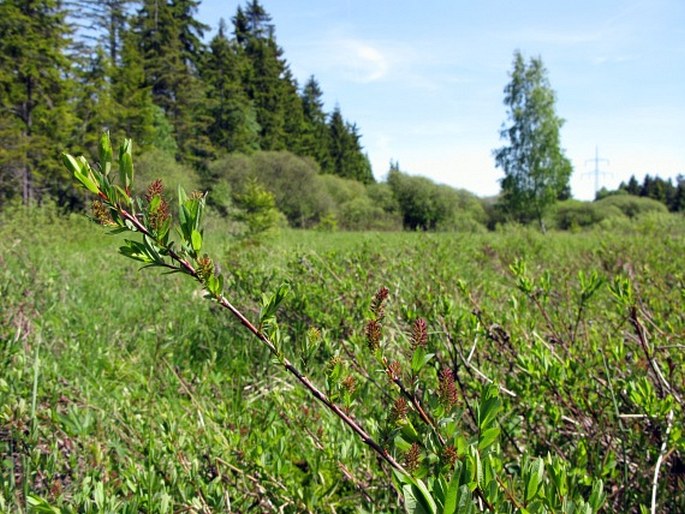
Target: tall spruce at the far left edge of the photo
[[36, 119]]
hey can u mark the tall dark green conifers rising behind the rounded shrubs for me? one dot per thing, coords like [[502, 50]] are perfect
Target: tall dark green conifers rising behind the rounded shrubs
[[141, 68]]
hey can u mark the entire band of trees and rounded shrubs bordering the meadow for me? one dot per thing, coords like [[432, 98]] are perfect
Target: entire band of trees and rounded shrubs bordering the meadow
[[227, 116]]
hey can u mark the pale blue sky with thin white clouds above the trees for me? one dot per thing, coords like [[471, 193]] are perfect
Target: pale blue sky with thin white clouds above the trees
[[424, 80]]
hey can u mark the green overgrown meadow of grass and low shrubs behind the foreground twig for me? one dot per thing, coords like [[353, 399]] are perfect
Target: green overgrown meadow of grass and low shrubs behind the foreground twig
[[124, 390]]
